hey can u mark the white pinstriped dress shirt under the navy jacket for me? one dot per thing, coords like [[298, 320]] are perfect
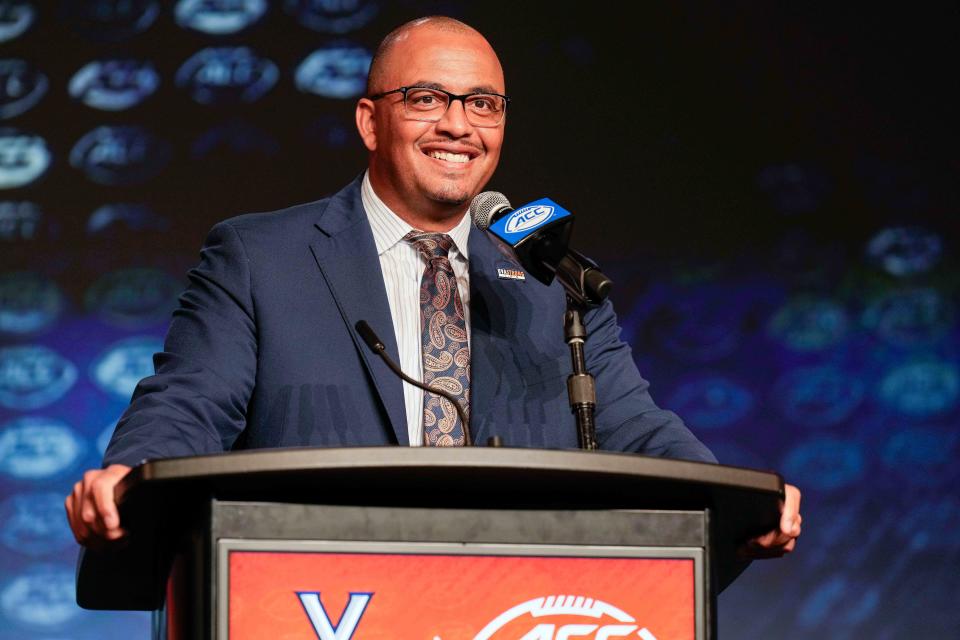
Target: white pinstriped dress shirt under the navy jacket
[[402, 268]]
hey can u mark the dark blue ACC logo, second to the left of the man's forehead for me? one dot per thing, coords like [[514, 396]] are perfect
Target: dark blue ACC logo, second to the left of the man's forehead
[[227, 75]]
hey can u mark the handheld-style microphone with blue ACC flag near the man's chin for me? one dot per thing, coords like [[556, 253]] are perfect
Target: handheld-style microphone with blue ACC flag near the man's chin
[[539, 234]]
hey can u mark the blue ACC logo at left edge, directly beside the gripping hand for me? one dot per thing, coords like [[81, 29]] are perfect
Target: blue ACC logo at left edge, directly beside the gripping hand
[[33, 524]]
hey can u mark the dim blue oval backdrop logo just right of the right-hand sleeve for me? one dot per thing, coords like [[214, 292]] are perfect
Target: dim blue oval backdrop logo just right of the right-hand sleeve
[[711, 402]]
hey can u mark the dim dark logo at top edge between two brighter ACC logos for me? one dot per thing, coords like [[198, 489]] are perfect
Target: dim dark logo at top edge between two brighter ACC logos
[[111, 20]]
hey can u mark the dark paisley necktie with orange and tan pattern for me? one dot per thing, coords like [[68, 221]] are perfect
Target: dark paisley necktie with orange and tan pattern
[[446, 356]]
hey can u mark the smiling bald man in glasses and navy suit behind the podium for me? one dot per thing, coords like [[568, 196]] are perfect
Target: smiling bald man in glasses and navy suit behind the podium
[[262, 351]]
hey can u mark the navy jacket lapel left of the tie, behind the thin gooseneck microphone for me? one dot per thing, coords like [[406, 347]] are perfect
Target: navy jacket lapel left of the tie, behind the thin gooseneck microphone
[[347, 257]]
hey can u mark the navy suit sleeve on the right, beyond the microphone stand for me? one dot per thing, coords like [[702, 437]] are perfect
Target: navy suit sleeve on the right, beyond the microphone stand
[[627, 418]]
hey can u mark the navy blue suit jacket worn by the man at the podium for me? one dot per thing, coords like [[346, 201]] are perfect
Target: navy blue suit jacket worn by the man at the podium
[[262, 351]]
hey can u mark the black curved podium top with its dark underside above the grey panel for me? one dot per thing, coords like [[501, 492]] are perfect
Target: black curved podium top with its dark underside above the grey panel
[[742, 502]]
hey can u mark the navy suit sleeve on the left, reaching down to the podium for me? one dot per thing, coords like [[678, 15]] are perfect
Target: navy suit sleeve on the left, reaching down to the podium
[[197, 400]]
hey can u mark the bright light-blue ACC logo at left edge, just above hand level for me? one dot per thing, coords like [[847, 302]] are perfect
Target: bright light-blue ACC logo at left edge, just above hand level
[[34, 448]]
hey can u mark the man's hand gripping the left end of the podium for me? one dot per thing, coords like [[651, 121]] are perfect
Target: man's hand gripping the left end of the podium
[[91, 510]]
